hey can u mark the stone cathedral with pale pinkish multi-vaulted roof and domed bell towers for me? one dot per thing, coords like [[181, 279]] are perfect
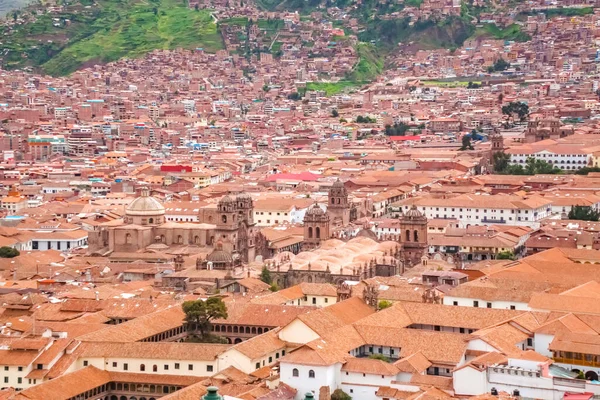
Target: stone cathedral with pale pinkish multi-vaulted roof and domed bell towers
[[327, 259]]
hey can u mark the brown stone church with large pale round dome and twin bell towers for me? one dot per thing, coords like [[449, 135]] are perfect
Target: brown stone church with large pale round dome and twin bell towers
[[227, 229]]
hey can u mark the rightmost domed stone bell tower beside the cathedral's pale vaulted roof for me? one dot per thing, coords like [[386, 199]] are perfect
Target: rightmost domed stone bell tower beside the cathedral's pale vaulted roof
[[413, 236]]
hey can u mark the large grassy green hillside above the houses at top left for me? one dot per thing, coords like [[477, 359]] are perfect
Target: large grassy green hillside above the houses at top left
[[113, 30]]
